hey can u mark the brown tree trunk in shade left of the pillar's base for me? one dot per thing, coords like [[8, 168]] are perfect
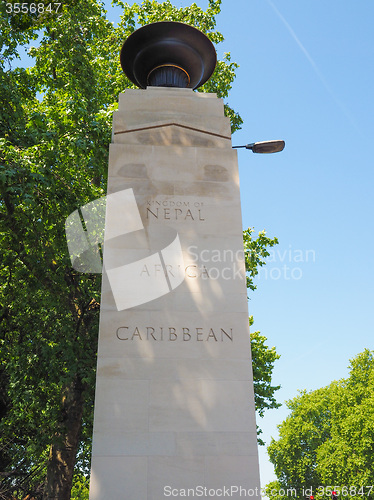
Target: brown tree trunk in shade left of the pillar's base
[[64, 450]]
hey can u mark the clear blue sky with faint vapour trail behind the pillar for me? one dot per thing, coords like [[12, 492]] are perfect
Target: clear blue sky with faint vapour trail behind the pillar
[[306, 76]]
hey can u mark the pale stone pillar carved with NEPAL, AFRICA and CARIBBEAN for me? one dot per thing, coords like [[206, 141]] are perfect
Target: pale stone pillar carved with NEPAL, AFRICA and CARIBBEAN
[[174, 404]]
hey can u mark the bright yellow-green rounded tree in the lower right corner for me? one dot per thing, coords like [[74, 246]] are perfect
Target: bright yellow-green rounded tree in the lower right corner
[[328, 438]]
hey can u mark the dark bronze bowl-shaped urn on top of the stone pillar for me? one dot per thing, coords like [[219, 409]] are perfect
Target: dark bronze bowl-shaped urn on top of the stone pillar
[[168, 54]]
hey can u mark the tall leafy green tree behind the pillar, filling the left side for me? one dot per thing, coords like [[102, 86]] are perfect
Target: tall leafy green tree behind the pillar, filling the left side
[[55, 127]]
